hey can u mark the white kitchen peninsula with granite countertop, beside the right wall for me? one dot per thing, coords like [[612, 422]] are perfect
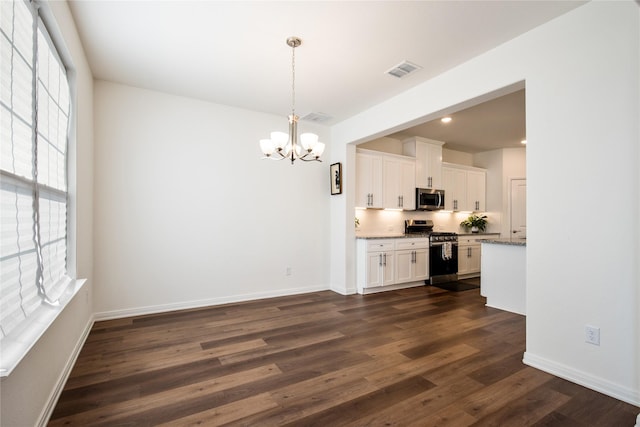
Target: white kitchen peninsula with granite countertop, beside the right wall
[[504, 274]]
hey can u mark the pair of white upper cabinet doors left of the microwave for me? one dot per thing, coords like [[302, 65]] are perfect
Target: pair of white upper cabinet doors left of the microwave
[[385, 181]]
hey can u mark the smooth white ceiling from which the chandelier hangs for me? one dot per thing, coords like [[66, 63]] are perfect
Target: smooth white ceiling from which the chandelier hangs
[[234, 52]]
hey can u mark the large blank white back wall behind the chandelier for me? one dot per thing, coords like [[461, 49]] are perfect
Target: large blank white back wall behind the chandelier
[[188, 214]]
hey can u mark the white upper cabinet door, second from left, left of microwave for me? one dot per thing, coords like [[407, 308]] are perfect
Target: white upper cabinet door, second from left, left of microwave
[[398, 184]]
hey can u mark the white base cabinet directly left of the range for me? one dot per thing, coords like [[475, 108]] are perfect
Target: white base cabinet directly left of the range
[[412, 260]]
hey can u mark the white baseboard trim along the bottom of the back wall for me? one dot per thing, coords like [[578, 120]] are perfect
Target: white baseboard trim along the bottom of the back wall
[[162, 308]]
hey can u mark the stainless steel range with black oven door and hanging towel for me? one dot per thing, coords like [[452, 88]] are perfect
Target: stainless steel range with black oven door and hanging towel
[[443, 250]]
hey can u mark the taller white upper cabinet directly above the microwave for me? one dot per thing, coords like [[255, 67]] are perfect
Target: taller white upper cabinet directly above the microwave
[[428, 154]]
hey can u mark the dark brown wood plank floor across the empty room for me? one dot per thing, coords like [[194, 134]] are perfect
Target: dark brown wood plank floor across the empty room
[[422, 356]]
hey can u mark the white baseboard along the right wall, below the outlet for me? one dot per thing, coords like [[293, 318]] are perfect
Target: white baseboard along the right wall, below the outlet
[[584, 379]]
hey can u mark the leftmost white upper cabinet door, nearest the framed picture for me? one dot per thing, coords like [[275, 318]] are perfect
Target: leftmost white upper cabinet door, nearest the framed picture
[[369, 180]]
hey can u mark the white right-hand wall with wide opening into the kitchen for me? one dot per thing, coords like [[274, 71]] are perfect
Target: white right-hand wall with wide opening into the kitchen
[[581, 72]]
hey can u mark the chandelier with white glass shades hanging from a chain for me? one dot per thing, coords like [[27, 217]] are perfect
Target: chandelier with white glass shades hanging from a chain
[[285, 146]]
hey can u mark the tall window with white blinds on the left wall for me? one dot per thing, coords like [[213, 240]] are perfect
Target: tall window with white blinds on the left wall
[[35, 109]]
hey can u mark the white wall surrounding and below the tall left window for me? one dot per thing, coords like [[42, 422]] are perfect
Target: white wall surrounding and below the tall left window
[[27, 395]]
